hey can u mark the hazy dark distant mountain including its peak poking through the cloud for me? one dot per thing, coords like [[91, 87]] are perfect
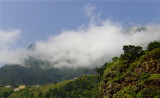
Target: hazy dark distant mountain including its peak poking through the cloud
[[38, 71]]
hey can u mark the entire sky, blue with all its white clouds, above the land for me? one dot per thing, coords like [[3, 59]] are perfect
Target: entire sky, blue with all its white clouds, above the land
[[83, 32]]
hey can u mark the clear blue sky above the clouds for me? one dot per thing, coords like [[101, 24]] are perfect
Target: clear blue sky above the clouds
[[37, 20]]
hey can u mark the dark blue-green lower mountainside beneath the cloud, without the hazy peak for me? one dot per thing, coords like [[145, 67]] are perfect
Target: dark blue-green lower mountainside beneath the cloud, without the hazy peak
[[16, 74]]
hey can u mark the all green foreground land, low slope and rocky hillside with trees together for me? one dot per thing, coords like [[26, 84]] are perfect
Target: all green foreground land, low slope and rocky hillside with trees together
[[135, 74]]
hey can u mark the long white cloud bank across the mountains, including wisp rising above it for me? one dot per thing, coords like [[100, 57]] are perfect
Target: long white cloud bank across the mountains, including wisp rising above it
[[88, 46]]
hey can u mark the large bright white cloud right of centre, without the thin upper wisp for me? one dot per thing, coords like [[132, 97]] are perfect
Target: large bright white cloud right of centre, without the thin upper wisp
[[94, 45]]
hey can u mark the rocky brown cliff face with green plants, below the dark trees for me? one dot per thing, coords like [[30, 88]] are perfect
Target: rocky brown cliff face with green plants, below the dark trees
[[140, 79]]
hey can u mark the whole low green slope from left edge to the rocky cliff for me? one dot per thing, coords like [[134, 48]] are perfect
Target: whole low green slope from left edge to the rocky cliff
[[83, 87]]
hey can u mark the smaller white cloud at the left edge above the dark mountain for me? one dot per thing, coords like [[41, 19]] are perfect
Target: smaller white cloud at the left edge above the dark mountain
[[7, 39]]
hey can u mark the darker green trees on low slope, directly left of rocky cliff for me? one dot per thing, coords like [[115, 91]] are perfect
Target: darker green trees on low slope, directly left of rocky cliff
[[85, 87]]
